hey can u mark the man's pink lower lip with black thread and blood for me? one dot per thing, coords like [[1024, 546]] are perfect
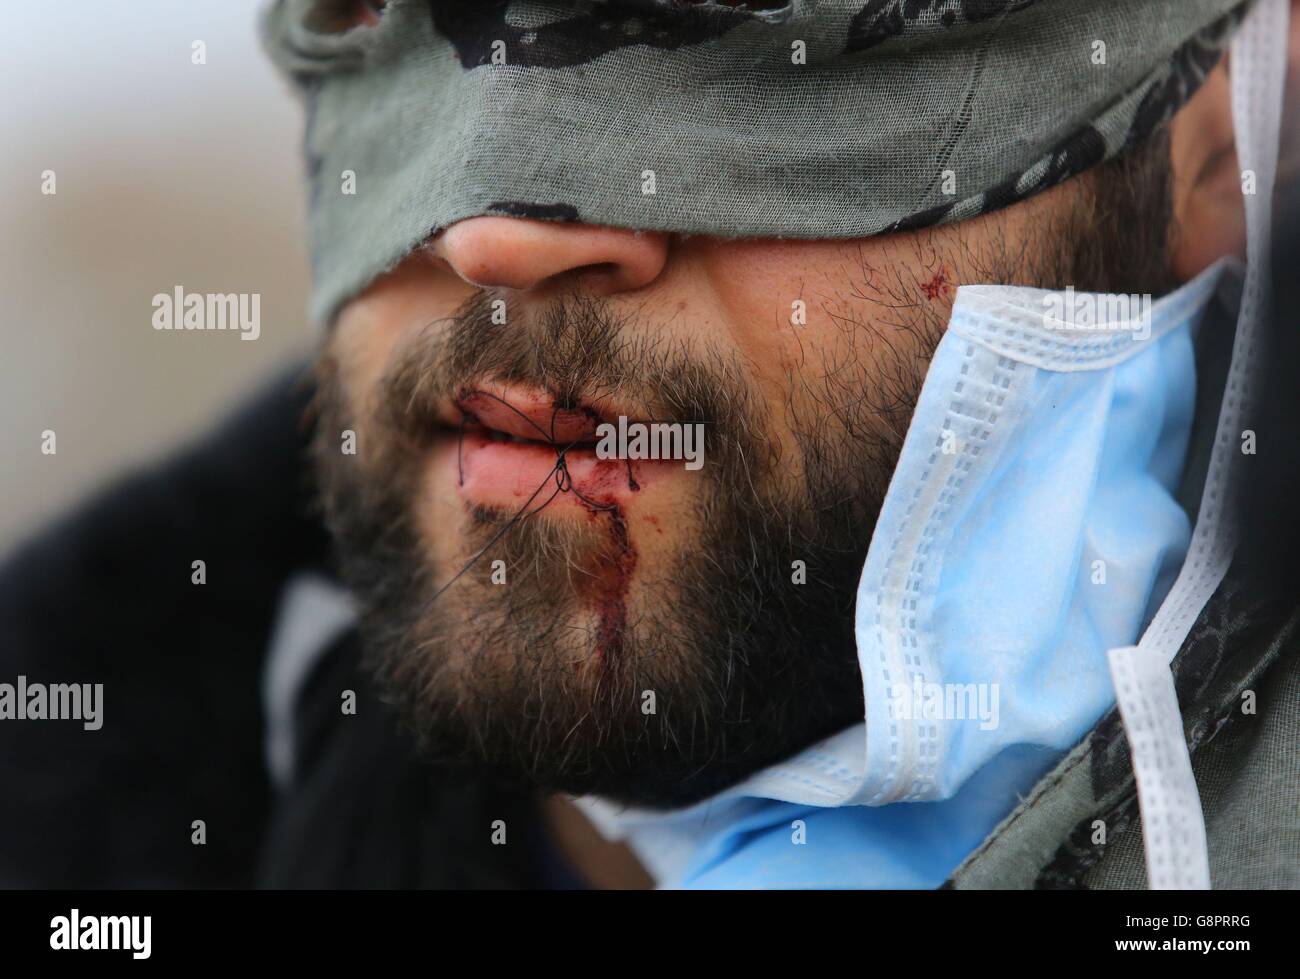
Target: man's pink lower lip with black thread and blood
[[493, 473]]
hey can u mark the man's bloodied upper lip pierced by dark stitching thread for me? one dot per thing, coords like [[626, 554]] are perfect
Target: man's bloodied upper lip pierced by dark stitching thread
[[528, 414]]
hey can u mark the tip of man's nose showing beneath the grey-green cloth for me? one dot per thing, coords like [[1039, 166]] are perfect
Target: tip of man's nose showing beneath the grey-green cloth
[[525, 254]]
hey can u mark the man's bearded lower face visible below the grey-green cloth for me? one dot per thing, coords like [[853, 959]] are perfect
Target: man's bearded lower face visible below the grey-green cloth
[[639, 629]]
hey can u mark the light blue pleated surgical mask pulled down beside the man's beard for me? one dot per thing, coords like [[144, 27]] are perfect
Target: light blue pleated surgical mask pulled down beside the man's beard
[[1029, 529]]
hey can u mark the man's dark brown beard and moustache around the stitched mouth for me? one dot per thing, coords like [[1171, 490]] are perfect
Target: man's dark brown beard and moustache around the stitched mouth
[[738, 648]]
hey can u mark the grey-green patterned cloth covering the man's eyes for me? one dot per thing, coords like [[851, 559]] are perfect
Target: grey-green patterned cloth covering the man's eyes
[[805, 119]]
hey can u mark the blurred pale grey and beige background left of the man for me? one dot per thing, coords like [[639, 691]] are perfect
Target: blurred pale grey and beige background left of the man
[[168, 175]]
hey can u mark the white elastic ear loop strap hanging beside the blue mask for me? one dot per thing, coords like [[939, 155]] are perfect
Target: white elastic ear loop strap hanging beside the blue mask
[[1172, 818]]
